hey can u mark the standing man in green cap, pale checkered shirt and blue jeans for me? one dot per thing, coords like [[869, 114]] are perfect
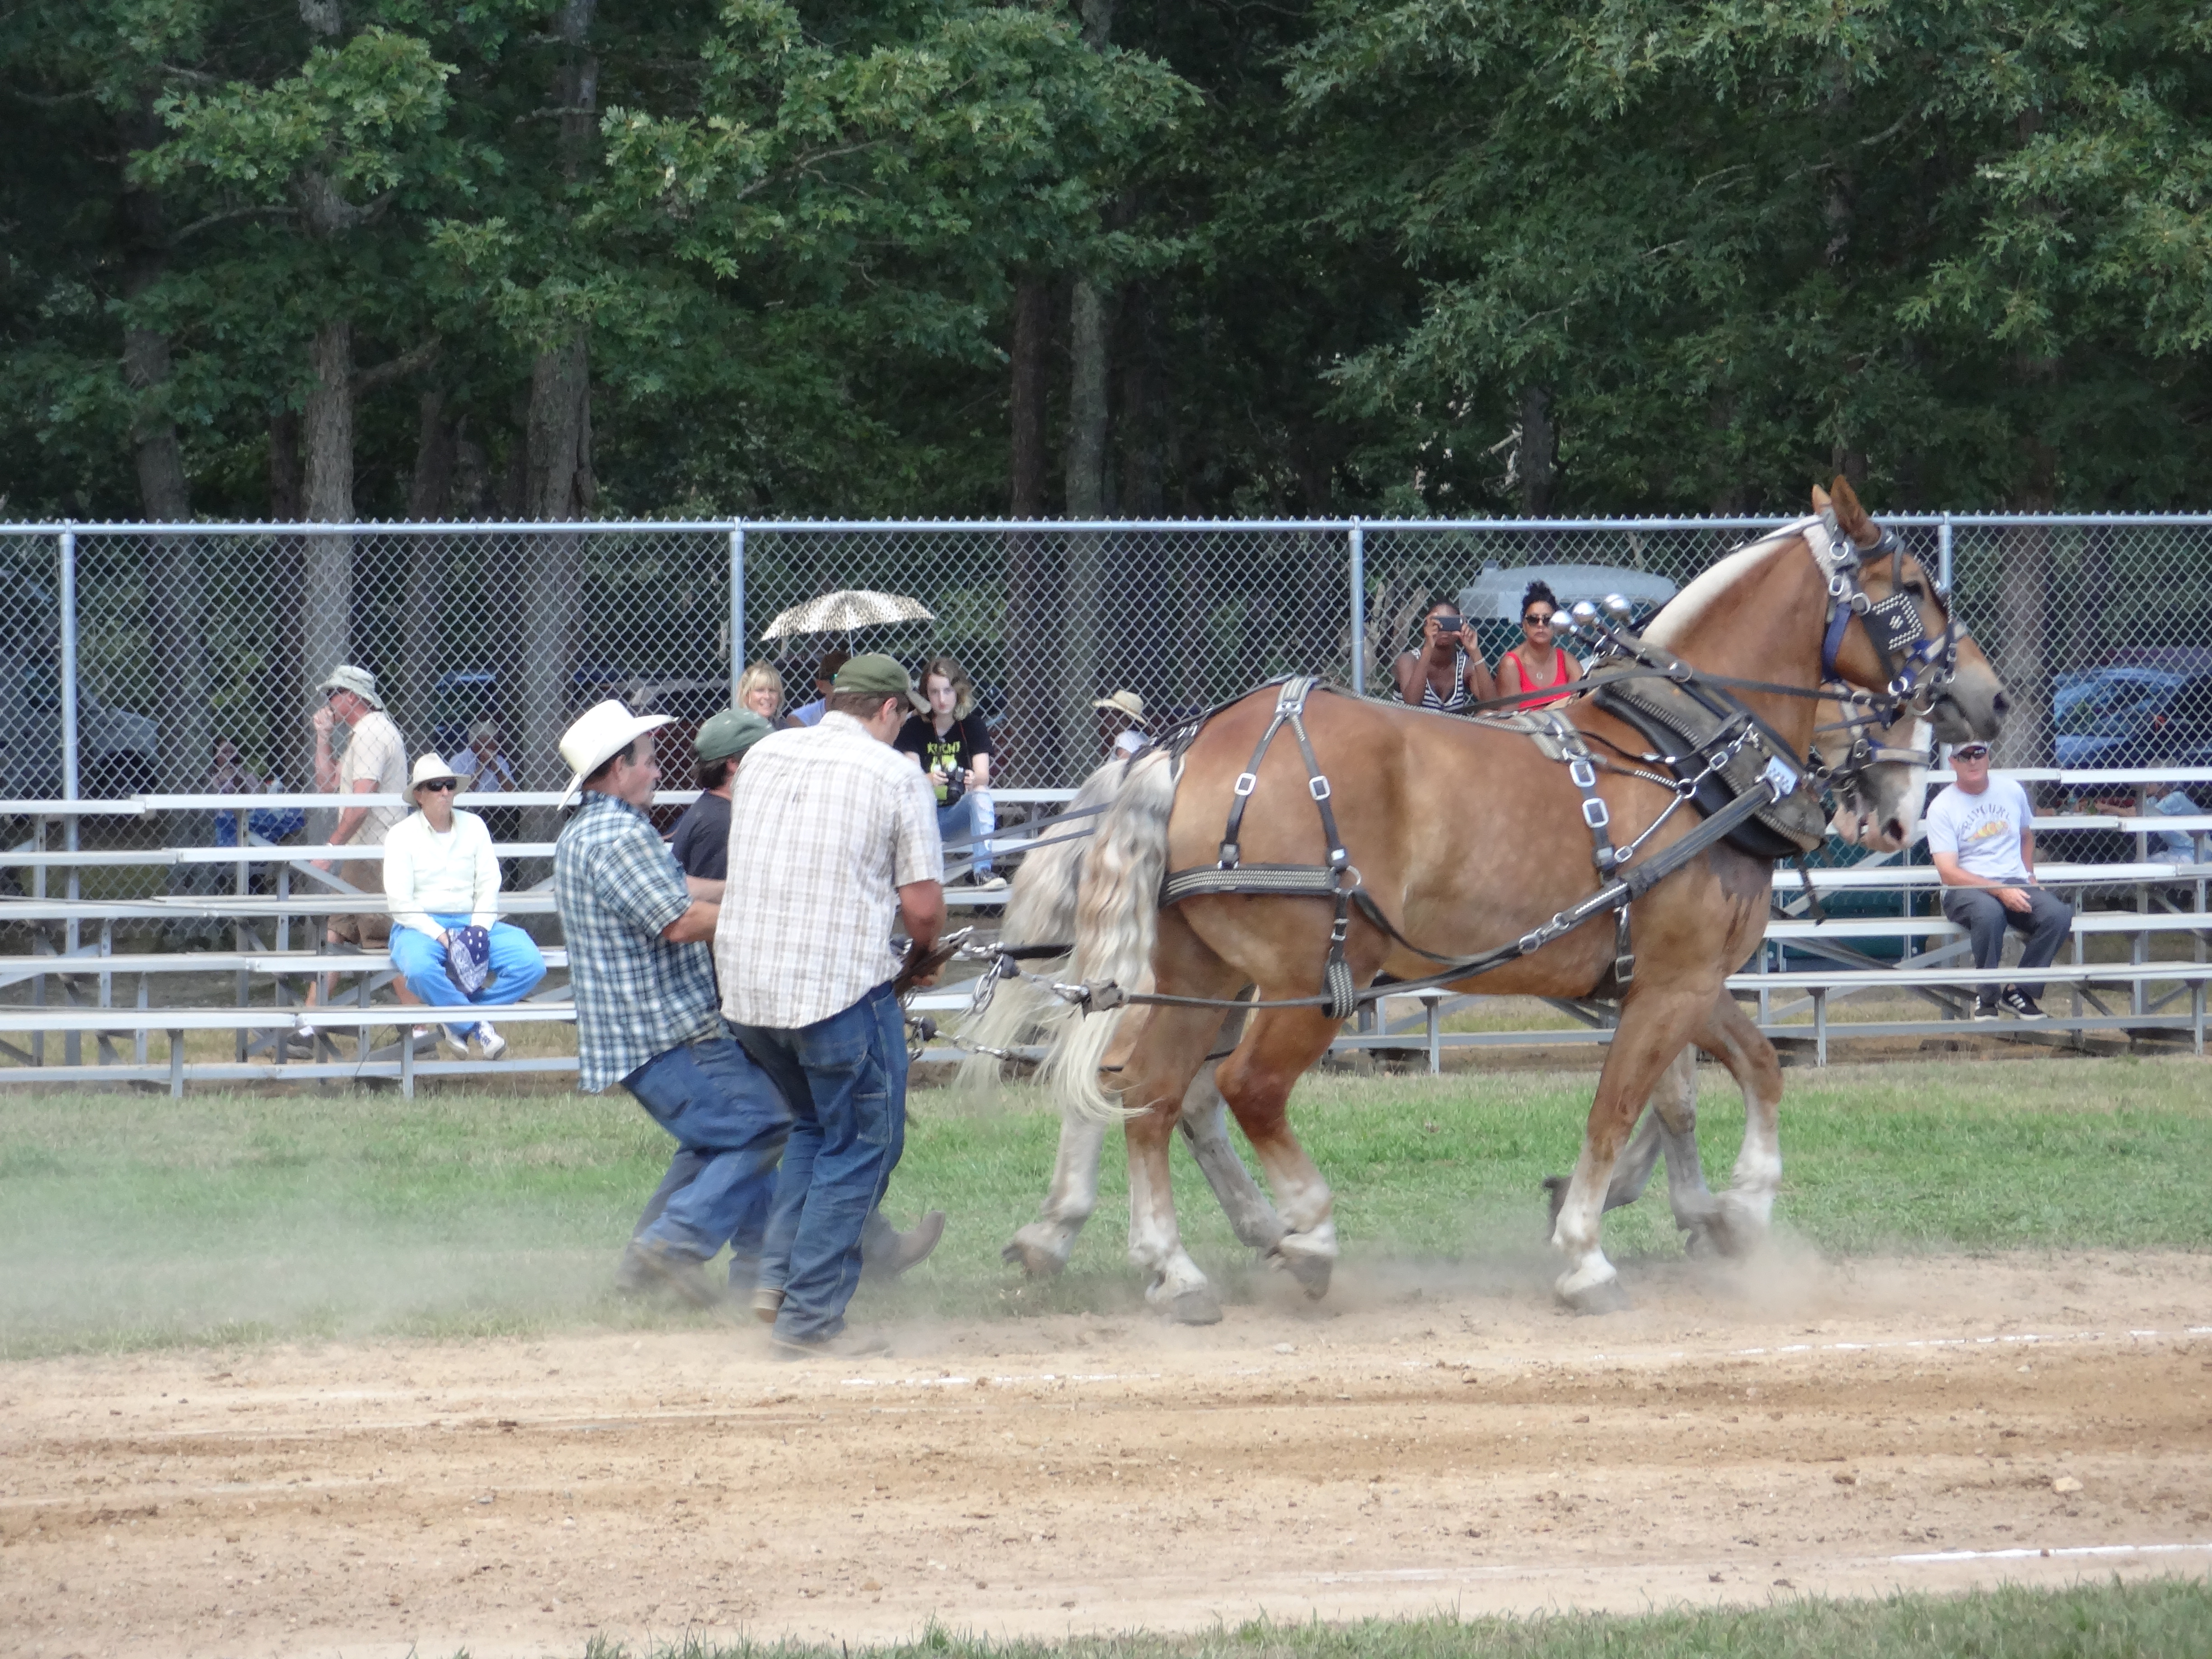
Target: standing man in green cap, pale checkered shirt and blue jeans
[[833, 839]]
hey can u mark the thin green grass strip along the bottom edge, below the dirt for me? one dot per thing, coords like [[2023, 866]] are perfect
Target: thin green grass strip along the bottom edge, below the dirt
[[2158, 1620]]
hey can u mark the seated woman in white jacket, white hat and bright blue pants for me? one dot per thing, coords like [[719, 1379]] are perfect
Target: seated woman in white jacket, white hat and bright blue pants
[[444, 877]]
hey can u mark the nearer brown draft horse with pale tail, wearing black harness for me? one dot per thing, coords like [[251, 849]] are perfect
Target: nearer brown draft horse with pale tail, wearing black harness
[[1470, 848]]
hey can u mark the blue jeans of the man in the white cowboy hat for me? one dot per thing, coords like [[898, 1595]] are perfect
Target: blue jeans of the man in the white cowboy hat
[[733, 1118]]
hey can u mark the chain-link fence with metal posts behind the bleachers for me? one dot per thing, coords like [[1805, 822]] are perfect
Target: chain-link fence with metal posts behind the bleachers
[[198, 649]]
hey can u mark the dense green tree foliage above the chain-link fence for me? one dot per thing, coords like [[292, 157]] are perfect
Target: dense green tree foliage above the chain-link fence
[[1361, 255]]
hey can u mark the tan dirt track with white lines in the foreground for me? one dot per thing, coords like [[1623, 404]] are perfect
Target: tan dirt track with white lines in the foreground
[[1404, 1448]]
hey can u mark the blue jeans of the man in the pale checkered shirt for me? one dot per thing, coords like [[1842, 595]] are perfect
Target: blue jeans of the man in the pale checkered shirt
[[846, 1078]]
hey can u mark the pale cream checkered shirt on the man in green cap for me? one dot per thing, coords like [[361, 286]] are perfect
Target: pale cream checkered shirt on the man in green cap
[[826, 826]]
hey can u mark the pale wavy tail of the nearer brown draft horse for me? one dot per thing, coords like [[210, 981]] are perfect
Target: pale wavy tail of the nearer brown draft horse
[[1116, 928]]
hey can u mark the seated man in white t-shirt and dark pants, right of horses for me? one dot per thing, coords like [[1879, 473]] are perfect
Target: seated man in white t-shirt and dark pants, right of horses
[[1985, 853]]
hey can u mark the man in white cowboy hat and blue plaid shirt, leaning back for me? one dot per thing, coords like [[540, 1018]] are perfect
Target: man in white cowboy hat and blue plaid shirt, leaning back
[[645, 1003]]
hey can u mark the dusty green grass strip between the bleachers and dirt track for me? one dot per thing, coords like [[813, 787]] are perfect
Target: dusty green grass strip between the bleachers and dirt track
[[132, 1220]]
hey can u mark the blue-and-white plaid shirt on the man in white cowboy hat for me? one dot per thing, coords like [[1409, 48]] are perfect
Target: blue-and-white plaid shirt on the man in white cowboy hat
[[636, 994]]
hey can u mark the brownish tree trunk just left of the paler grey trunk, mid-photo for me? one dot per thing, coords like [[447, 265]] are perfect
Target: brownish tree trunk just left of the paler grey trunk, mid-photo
[[1032, 738]]
